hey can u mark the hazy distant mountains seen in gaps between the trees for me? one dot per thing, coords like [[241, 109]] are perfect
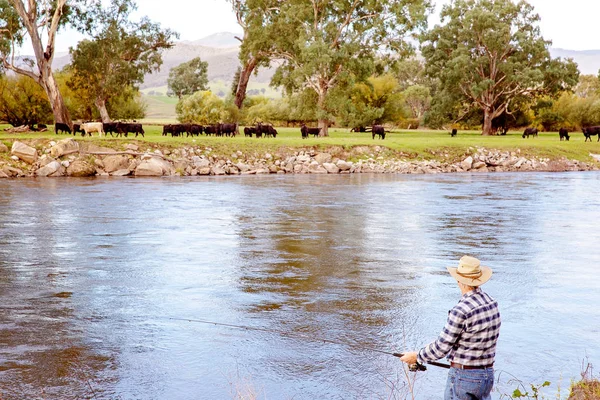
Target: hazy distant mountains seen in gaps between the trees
[[221, 52]]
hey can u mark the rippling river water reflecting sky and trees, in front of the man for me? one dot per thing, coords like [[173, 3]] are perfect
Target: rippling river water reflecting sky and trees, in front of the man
[[104, 282]]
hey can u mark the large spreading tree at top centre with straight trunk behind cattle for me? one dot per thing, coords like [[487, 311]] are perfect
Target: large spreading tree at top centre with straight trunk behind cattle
[[324, 44]]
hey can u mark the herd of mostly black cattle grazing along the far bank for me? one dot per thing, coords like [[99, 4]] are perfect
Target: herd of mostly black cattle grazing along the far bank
[[259, 130]]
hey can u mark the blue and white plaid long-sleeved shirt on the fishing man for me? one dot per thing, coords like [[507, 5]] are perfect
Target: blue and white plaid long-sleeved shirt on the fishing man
[[470, 334]]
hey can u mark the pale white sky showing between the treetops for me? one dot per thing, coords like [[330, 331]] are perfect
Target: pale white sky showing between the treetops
[[571, 24]]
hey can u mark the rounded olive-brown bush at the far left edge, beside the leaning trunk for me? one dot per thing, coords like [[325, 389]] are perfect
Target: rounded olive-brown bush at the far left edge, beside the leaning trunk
[[23, 102]]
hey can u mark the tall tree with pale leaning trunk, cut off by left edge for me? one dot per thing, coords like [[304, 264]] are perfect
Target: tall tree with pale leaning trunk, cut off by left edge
[[40, 20]]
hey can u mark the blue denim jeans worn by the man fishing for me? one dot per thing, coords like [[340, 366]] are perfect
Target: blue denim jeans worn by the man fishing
[[469, 384]]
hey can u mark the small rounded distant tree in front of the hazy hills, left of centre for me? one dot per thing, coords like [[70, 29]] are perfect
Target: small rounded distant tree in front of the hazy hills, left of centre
[[187, 78]]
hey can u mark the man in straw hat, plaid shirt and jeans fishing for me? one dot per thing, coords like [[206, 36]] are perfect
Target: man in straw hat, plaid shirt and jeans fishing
[[468, 338]]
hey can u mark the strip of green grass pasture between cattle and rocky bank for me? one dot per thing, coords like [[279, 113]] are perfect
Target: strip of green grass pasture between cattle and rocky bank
[[409, 144]]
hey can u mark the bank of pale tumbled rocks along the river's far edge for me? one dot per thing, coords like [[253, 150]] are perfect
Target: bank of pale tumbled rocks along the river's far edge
[[69, 157]]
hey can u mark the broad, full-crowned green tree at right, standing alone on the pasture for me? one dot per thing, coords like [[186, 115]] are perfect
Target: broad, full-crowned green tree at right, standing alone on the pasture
[[488, 53]]
